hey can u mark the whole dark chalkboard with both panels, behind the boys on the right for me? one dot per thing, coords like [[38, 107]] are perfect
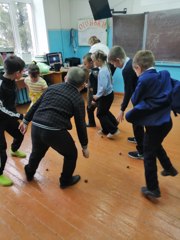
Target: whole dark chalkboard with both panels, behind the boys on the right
[[156, 31]]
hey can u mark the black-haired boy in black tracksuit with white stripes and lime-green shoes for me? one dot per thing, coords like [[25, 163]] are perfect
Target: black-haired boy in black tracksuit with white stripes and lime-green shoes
[[9, 117]]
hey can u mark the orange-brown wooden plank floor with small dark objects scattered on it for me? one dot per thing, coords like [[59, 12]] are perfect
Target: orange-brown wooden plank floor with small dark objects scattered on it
[[105, 205]]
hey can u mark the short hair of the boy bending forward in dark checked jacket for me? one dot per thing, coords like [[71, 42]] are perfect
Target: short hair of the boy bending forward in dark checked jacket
[[76, 76]]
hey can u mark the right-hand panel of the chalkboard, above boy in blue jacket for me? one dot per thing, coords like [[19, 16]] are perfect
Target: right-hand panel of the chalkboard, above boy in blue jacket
[[163, 34]]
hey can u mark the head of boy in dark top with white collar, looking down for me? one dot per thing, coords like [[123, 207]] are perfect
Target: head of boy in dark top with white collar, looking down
[[117, 56]]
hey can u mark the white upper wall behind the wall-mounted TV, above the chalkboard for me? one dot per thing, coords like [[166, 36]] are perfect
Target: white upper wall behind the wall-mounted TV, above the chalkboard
[[64, 14]]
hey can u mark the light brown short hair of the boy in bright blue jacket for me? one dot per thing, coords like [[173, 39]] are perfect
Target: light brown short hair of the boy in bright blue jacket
[[144, 58]]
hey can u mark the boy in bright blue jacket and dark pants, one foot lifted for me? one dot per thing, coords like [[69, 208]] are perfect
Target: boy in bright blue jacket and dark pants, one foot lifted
[[152, 107]]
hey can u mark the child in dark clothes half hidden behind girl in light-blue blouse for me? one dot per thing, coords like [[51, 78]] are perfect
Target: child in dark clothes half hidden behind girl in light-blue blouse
[[91, 89]]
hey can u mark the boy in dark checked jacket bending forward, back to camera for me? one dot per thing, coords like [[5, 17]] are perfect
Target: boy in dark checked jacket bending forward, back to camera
[[50, 117]]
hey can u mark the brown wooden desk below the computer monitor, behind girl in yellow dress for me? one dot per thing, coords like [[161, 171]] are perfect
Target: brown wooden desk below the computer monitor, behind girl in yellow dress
[[51, 77]]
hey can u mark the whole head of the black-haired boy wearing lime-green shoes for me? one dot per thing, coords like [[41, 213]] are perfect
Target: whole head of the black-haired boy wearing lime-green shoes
[[13, 66]]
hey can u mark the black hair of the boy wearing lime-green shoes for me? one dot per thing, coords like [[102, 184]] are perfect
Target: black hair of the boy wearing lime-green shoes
[[13, 64]]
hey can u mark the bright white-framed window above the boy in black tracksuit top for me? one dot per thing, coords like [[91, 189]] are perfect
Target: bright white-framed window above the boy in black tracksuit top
[[17, 28]]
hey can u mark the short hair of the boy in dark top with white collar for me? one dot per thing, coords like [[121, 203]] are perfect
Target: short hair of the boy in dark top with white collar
[[116, 52]]
